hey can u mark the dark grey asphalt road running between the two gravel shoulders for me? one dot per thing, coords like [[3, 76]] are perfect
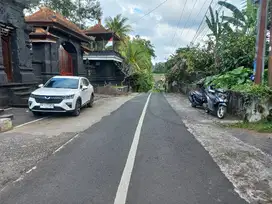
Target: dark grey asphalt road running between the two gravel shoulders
[[170, 167]]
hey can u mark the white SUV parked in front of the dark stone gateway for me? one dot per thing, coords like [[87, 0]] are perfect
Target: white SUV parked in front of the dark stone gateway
[[62, 94]]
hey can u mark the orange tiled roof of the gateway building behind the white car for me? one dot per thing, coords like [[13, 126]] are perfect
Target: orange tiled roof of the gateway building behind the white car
[[45, 15]]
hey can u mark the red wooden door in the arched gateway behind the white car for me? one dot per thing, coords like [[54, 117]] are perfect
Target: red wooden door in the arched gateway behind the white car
[[66, 62]]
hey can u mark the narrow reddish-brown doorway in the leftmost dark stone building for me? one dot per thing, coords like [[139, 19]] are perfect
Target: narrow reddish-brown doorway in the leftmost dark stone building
[[6, 52]]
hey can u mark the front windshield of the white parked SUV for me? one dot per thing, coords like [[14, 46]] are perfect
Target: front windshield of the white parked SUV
[[64, 83]]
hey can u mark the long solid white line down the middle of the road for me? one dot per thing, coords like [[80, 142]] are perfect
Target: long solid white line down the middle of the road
[[121, 194]]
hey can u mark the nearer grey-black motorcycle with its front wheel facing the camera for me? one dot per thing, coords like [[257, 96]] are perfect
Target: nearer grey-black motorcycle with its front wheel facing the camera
[[216, 102]]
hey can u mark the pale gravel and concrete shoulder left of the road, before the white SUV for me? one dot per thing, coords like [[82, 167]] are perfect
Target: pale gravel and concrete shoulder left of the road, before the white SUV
[[21, 148]]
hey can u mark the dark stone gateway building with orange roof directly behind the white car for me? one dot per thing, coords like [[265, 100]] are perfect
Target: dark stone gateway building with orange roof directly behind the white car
[[58, 45]]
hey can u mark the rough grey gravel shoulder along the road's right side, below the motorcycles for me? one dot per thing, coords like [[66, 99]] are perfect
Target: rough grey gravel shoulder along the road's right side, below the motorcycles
[[246, 166]]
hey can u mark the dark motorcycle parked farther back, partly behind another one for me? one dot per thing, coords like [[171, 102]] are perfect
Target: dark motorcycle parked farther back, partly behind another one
[[197, 97]]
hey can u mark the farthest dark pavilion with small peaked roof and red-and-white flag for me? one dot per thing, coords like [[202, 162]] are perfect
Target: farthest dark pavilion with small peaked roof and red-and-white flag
[[104, 63]]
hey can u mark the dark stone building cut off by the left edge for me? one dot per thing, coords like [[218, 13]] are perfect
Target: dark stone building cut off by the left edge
[[16, 72]]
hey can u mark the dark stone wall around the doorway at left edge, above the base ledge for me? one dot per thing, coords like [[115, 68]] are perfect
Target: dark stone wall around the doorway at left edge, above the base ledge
[[11, 14]]
